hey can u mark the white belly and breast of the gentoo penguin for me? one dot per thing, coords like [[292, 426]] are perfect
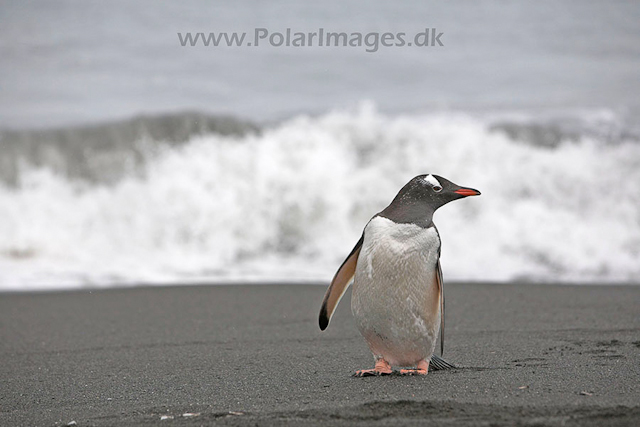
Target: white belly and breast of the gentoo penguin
[[396, 300]]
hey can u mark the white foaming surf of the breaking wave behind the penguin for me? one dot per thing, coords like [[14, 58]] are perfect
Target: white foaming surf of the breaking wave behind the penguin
[[291, 202]]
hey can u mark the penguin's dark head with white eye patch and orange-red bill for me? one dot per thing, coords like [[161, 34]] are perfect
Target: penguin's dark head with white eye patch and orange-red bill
[[419, 198]]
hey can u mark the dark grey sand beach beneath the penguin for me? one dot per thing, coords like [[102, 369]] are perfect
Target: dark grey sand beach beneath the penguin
[[253, 355]]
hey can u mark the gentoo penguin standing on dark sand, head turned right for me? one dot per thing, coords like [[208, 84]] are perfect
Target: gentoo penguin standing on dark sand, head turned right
[[398, 295]]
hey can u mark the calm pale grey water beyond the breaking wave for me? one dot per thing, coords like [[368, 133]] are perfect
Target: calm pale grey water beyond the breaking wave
[[78, 61]]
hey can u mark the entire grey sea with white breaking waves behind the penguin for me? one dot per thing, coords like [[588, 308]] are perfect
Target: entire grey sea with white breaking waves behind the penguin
[[126, 158]]
